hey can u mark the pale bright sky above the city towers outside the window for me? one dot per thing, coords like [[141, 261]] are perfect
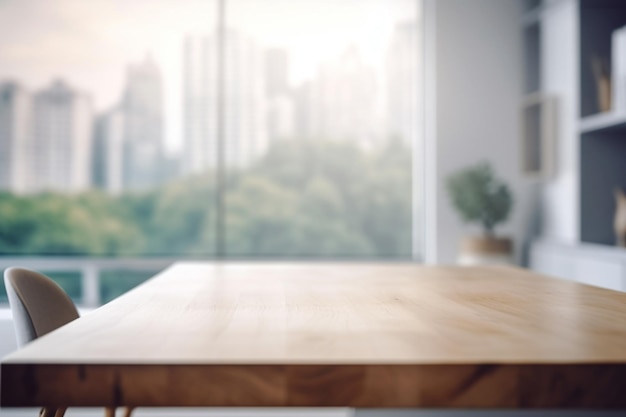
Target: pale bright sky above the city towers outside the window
[[90, 44]]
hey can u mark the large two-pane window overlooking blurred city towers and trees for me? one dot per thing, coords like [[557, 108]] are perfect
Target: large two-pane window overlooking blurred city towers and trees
[[210, 128]]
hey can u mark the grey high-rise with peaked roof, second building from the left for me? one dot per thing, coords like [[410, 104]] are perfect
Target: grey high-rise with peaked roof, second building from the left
[[59, 153]]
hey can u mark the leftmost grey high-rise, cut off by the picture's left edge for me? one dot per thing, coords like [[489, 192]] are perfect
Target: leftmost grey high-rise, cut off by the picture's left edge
[[14, 133]]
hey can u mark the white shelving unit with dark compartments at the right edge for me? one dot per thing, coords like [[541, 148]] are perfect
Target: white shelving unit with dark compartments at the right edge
[[577, 204]]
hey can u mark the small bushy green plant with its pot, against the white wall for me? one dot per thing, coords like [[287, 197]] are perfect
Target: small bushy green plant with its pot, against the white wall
[[479, 197]]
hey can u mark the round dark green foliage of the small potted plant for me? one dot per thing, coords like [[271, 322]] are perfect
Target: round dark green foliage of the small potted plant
[[479, 196]]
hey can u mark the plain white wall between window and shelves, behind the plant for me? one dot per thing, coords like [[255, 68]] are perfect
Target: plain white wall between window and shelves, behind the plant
[[478, 89]]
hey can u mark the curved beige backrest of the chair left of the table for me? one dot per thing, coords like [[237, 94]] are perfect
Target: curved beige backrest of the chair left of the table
[[39, 305]]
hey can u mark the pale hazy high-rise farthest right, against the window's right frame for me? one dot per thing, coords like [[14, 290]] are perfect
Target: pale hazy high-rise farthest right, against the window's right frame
[[402, 76]]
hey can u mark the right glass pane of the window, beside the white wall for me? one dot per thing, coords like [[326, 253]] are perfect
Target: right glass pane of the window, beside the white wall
[[321, 105]]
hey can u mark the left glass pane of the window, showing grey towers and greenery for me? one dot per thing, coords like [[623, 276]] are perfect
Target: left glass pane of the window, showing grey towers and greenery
[[100, 108]]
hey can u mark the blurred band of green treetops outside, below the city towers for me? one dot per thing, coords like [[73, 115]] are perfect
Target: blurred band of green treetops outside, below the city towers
[[314, 198]]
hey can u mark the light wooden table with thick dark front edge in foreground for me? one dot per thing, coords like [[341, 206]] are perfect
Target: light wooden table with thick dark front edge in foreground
[[334, 334]]
